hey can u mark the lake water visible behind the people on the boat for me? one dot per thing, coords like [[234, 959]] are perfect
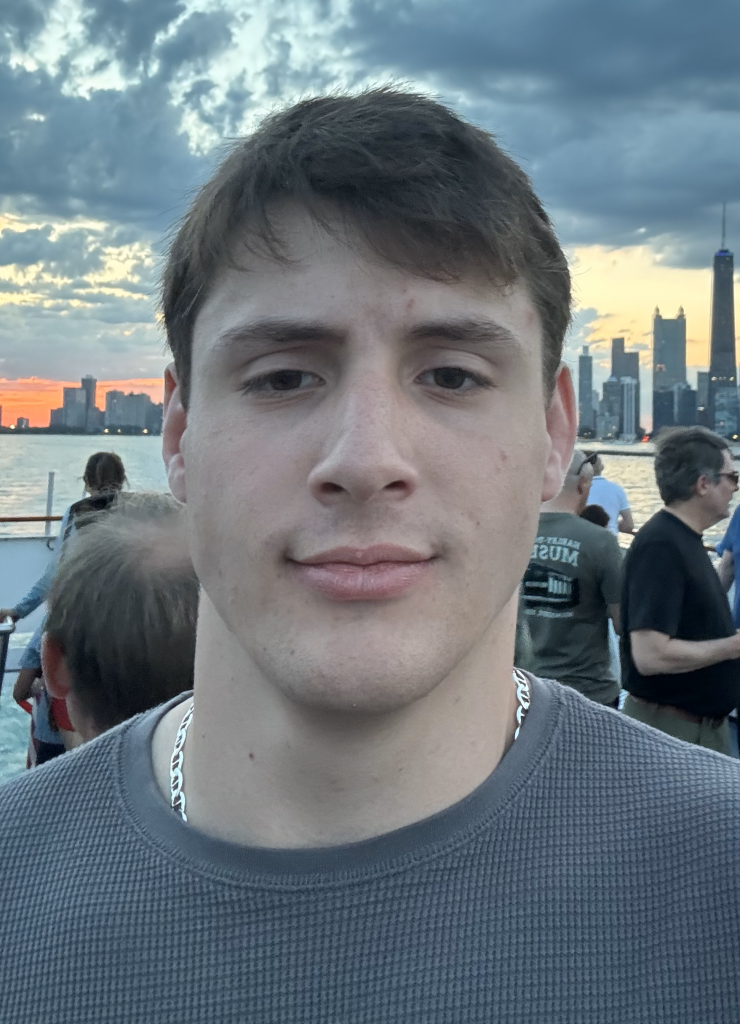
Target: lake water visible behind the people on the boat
[[25, 465]]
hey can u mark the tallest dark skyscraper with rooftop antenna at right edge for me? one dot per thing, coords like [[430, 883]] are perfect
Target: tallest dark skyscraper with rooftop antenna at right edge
[[723, 399]]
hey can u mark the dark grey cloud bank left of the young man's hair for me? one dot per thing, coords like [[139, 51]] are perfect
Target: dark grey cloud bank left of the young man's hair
[[118, 155]]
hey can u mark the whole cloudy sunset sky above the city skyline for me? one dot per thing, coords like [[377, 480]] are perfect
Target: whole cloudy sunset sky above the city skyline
[[112, 112]]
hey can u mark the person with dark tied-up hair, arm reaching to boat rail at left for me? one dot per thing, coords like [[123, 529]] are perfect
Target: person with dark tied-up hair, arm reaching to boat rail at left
[[104, 478]]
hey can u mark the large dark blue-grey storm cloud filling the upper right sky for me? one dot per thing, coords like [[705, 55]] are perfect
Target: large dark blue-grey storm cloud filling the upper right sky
[[626, 115]]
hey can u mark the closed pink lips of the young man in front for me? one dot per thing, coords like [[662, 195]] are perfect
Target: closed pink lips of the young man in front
[[379, 573]]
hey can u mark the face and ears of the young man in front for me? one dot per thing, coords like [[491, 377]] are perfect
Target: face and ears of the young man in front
[[364, 461]]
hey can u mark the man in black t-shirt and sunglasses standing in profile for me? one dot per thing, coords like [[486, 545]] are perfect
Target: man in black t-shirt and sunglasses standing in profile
[[680, 647]]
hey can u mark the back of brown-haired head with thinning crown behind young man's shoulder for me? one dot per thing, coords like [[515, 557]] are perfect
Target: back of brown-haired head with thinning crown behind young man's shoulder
[[120, 635]]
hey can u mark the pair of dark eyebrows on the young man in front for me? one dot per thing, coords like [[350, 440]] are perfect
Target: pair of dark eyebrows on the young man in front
[[272, 331]]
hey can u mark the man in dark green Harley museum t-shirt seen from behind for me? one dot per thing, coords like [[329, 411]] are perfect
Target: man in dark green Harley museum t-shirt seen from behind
[[571, 590]]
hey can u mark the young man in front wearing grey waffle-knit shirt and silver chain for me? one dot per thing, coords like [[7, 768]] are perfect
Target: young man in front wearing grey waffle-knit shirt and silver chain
[[367, 307]]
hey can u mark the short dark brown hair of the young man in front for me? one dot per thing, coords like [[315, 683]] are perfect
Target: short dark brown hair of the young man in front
[[424, 190]]
